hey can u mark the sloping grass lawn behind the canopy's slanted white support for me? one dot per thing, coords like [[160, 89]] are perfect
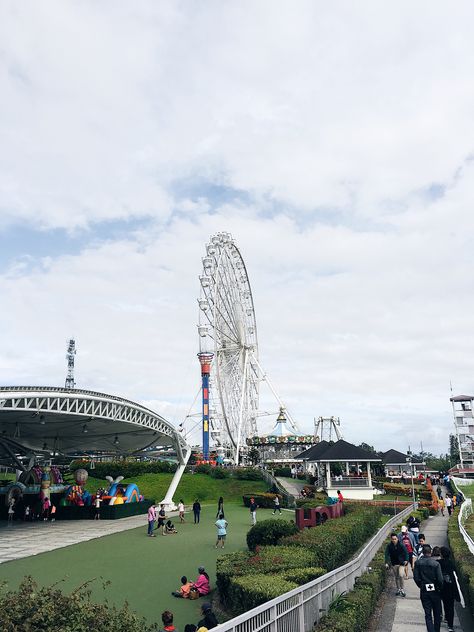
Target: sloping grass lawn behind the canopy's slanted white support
[[191, 486]]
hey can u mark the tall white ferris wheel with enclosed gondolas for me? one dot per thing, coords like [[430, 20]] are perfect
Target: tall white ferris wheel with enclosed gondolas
[[227, 328]]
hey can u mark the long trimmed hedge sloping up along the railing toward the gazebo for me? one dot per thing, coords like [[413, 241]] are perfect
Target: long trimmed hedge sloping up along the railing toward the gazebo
[[335, 541]]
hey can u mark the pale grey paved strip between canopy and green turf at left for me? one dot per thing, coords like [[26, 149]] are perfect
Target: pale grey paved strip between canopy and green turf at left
[[23, 539]]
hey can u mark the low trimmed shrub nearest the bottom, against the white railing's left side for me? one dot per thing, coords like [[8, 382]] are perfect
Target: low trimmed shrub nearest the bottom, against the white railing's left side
[[250, 591]]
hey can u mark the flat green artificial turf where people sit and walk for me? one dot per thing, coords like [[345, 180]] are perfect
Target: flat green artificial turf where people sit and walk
[[142, 570]]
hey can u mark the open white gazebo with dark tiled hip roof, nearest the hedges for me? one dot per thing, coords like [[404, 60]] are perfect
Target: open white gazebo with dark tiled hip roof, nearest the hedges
[[356, 486]]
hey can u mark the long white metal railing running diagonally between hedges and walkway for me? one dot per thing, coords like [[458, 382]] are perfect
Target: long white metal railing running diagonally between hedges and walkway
[[300, 609]]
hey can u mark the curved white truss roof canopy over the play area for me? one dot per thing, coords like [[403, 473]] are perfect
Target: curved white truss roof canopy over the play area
[[71, 421]]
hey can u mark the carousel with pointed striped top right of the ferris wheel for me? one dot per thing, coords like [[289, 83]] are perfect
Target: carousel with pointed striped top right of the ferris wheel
[[281, 445]]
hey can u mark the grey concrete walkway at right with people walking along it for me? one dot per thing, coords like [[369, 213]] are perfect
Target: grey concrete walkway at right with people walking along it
[[406, 614]]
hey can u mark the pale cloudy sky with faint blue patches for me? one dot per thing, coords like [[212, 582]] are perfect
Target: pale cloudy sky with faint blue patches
[[334, 141]]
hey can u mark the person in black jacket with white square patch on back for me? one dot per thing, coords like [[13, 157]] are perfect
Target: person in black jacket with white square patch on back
[[429, 579]]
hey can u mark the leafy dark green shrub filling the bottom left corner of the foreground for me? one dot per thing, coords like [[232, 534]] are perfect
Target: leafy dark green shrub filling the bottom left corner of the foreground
[[34, 608]]
